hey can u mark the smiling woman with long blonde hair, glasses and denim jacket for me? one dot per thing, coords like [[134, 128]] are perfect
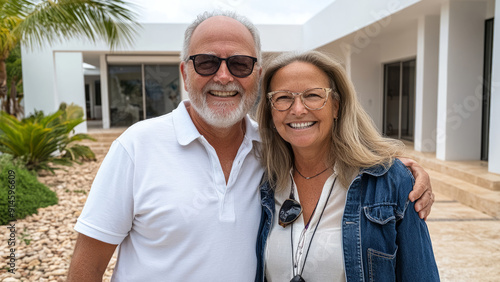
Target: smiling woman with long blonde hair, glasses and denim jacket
[[341, 193]]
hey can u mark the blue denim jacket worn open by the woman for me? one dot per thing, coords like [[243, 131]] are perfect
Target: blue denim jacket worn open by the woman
[[382, 235]]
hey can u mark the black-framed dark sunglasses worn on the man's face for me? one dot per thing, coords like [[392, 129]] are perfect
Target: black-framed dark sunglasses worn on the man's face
[[238, 65]]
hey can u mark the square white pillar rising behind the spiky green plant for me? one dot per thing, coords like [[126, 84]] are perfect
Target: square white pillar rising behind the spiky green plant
[[69, 82]]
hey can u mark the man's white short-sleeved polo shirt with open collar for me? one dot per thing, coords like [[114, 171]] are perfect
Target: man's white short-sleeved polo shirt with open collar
[[161, 194]]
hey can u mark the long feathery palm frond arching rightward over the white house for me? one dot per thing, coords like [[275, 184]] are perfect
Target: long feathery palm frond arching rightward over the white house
[[53, 21]]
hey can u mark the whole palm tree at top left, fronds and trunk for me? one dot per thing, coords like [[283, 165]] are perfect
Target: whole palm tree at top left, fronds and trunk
[[36, 23]]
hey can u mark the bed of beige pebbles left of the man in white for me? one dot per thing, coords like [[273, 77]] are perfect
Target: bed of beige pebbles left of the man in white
[[45, 241]]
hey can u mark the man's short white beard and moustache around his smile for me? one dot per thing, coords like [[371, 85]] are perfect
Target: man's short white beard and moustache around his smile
[[221, 117]]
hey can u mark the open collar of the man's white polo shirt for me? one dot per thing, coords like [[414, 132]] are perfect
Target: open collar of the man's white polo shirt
[[186, 131]]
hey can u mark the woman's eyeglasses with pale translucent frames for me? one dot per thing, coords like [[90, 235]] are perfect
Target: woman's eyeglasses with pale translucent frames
[[313, 99]]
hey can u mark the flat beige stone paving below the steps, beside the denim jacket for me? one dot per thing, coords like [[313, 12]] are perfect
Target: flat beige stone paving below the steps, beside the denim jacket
[[466, 242]]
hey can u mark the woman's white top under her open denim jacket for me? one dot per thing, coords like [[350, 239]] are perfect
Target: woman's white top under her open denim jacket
[[325, 259]]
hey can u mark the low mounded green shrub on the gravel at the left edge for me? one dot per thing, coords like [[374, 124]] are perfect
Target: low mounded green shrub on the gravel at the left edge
[[29, 193]]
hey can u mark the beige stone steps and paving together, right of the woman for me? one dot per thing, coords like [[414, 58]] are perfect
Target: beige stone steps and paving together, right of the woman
[[465, 220]]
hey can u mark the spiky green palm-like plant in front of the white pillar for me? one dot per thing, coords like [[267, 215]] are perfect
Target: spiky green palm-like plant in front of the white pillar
[[43, 142]]
